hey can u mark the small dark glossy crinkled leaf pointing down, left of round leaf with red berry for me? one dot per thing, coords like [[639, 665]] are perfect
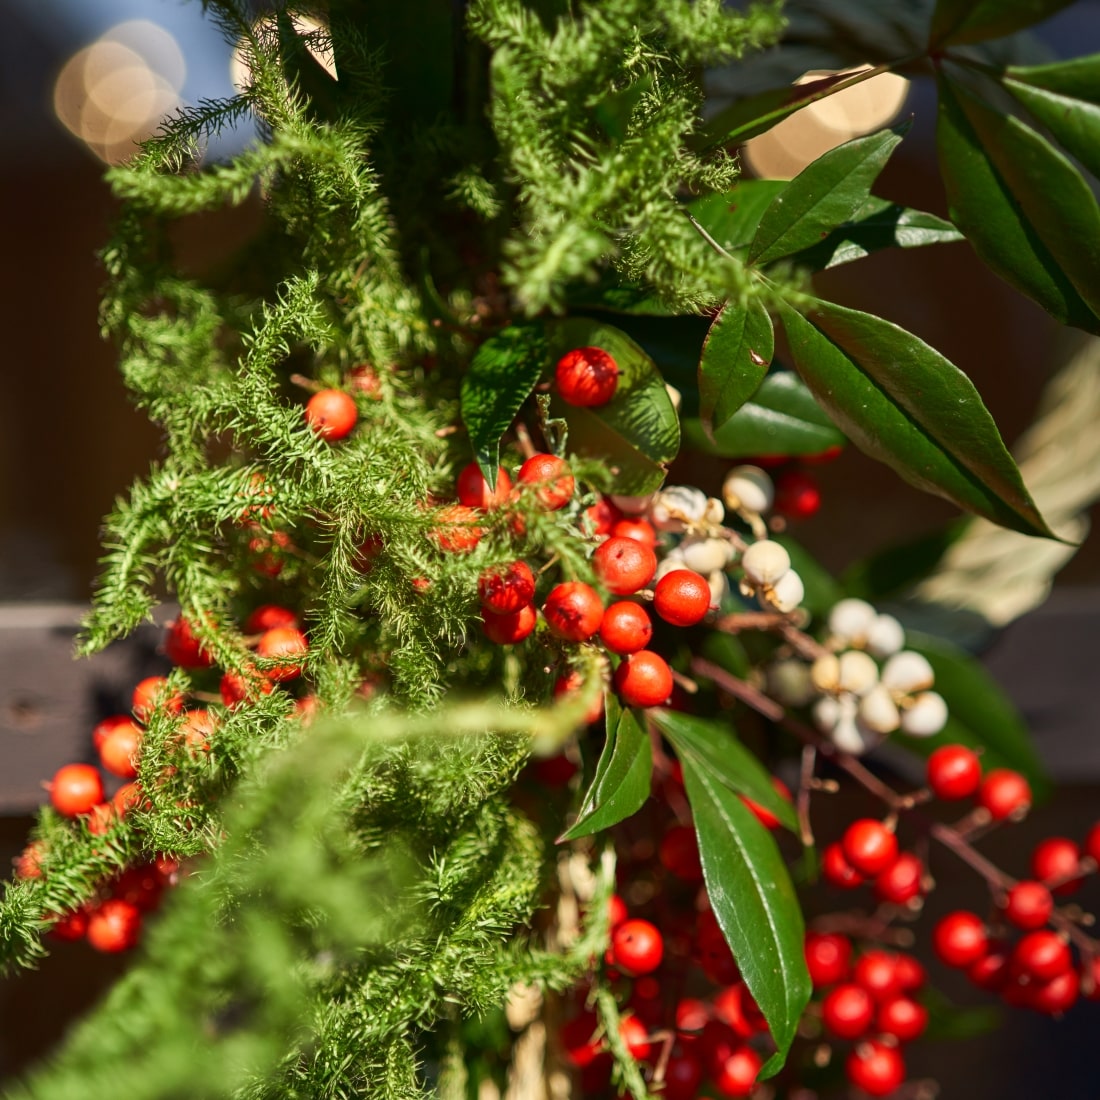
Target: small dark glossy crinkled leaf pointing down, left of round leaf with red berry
[[502, 377]]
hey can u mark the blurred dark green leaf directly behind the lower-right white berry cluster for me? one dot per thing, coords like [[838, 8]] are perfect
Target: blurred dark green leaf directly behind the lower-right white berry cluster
[[981, 712]]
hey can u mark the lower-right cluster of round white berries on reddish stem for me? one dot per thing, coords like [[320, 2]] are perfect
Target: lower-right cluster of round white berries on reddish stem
[[854, 700]]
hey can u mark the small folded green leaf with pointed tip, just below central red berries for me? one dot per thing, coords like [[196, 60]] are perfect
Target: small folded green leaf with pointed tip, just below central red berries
[[621, 785]]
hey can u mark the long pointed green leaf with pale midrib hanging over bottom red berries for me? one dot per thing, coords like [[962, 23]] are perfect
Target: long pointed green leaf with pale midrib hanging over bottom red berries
[[755, 904]]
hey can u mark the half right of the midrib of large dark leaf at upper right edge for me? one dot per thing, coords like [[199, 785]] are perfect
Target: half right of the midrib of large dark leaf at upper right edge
[[1050, 192]]
